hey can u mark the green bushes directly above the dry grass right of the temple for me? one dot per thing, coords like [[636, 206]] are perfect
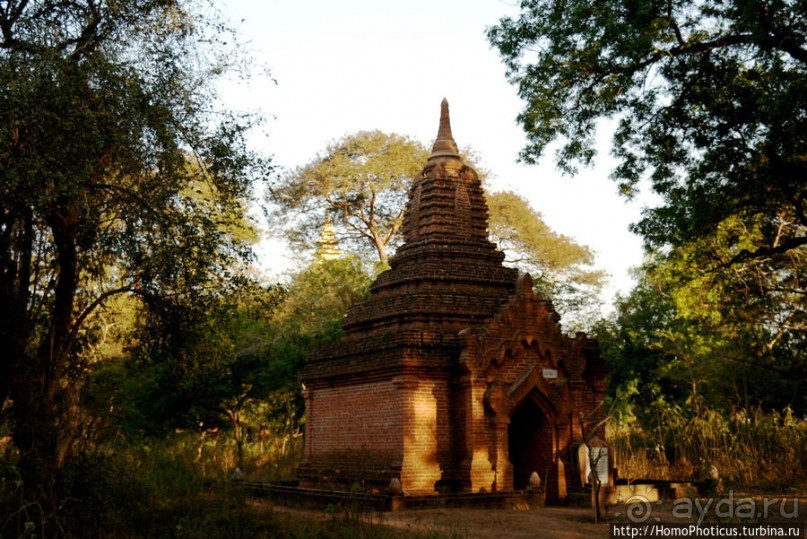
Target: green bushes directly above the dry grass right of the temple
[[664, 363]]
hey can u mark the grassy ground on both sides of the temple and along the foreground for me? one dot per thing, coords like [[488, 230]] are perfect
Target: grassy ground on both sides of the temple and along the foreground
[[181, 486]]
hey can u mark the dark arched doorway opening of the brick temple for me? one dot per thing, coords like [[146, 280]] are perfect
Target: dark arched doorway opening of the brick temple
[[530, 440]]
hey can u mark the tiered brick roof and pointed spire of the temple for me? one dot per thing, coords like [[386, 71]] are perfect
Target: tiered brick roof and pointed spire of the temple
[[447, 276]]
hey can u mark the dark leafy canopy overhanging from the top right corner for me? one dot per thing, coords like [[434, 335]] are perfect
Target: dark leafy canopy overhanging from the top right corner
[[711, 99]]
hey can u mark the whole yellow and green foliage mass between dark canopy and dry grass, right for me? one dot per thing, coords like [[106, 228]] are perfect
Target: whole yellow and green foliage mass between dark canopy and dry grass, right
[[691, 340]]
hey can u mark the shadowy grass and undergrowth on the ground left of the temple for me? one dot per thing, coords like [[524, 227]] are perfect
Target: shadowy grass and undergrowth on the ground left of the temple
[[169, 489]]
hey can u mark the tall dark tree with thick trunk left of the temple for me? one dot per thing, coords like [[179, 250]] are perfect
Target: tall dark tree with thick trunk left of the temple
[[109, 134]]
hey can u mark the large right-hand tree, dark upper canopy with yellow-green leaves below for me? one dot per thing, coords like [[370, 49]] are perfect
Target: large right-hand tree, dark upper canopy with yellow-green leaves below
[[711, 103]]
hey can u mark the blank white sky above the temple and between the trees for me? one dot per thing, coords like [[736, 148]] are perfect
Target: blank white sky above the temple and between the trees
[[350, 65]]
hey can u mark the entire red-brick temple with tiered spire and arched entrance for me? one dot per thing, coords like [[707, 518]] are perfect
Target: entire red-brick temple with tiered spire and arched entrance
[[454, 376]]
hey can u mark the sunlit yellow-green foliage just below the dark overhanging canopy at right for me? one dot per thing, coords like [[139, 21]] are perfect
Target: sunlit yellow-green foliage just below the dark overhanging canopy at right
[[754, 315]]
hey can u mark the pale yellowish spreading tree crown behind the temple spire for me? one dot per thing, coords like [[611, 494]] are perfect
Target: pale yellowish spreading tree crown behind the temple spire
[[361, 185]]
